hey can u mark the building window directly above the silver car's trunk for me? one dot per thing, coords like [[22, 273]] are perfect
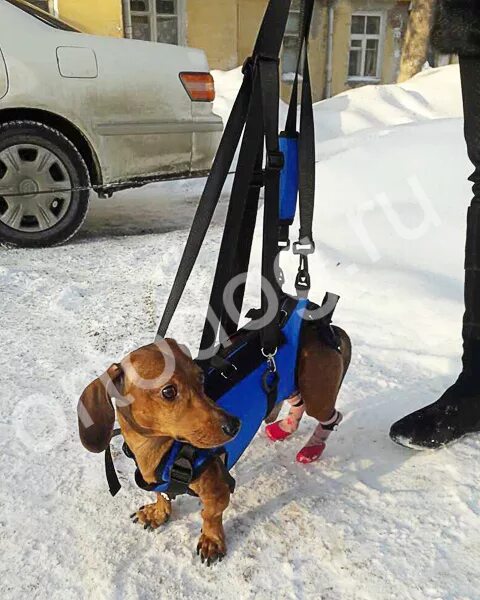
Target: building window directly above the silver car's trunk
[[156, 20]]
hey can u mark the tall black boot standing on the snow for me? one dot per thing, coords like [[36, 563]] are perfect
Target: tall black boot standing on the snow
[[457, 413]]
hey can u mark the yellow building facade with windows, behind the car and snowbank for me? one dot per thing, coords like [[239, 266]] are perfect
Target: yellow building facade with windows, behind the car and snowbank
[[354, 42]]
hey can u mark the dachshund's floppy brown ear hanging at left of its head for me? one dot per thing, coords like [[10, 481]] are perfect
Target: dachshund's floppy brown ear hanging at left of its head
[[96, 415]]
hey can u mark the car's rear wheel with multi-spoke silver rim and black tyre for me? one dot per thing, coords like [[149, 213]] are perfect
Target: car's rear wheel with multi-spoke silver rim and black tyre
[[44, 185]]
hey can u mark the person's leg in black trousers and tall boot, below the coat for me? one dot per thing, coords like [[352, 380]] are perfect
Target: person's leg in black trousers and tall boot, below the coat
[[458, 410]]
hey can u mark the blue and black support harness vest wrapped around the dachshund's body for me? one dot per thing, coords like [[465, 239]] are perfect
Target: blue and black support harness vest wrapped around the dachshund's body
[[240, 385]]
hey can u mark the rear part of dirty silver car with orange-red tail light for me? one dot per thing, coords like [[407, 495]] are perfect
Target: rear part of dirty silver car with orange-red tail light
[[79, 111]]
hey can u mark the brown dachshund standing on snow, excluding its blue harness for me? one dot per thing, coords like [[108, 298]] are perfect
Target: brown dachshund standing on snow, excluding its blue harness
[[162, 400]]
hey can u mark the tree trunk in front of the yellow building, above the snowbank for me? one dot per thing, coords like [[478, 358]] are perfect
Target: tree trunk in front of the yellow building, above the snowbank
[[417, 38]]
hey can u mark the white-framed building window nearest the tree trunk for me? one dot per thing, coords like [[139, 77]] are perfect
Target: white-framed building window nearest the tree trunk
[[366, 37]]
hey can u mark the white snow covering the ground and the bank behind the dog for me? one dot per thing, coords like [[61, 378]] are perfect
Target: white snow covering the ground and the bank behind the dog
[[372, 521]]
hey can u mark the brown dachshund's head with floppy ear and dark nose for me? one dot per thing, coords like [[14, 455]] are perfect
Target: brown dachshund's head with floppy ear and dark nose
[[159, 392]]
